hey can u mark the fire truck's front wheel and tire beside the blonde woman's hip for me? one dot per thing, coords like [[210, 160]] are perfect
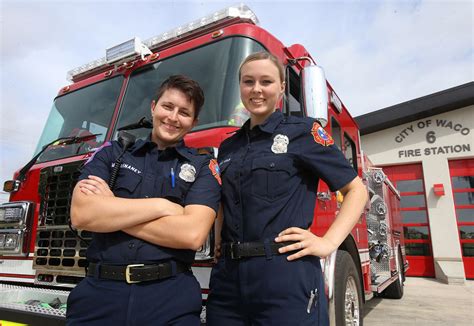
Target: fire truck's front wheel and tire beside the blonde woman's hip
[[347, 291]]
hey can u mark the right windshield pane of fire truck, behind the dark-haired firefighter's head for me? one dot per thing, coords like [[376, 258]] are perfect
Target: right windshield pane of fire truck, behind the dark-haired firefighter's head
[[214, 66]]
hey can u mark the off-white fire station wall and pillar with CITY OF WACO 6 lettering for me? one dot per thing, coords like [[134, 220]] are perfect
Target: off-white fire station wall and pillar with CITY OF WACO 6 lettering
[[432, 141]]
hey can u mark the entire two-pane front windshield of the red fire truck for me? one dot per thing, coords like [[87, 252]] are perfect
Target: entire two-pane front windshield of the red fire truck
[[89, 110]]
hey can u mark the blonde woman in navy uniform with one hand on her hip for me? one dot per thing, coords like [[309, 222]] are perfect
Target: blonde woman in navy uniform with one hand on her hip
[[269, 272]]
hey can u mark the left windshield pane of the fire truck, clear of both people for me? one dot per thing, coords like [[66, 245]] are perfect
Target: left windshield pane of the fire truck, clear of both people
[[80, 113]]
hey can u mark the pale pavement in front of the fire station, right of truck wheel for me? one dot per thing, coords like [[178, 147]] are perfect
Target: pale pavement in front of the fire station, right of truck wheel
[[426, 301]]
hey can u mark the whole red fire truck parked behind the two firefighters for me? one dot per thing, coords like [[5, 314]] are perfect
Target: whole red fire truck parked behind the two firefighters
[[41, 258]]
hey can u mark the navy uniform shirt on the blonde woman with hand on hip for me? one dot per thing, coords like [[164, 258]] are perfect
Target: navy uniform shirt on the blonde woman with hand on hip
[[270, 175]]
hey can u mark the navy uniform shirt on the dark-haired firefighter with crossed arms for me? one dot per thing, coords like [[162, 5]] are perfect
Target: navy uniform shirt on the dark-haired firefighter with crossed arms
[[145, 172]]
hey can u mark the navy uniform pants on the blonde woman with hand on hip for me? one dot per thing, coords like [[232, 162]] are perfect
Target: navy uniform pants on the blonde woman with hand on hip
[[261, 291]]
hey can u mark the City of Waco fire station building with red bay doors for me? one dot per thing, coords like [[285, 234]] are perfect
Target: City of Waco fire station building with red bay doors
[[426, 147]]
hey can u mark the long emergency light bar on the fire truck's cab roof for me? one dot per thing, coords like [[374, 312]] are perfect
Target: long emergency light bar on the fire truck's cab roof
[[132, 48]]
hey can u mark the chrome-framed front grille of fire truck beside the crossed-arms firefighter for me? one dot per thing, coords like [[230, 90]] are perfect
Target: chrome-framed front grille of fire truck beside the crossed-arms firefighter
[[60, 255]]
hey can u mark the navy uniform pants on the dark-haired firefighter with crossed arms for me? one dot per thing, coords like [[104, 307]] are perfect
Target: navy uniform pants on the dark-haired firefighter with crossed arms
[[172, 301]]
